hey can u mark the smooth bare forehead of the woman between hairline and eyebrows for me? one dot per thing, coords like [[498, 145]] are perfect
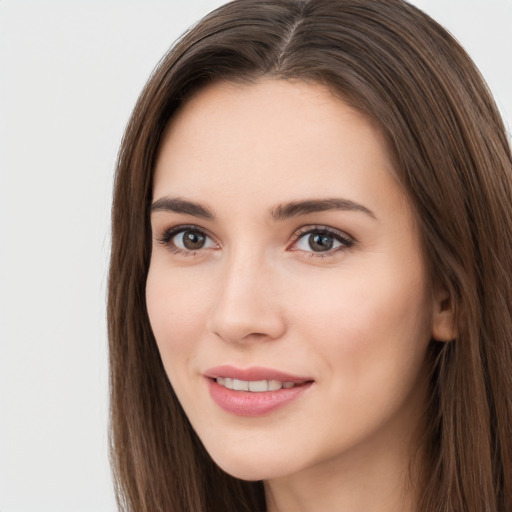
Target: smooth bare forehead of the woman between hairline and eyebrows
[[270, 141]]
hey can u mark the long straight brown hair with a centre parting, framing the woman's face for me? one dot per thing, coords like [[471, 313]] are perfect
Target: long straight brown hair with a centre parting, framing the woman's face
[[400, 68]]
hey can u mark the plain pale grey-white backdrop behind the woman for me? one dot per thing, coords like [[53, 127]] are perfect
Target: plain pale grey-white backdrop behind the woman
[[70, 73]]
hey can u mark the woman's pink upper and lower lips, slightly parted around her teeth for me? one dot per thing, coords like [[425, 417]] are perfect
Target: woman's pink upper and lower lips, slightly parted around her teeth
[[247, 403]]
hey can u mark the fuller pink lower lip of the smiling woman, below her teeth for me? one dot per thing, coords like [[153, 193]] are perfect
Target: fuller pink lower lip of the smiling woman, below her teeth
[[248, 403]]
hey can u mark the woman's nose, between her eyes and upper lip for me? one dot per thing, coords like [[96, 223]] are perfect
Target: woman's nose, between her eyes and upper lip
[[248, 306]]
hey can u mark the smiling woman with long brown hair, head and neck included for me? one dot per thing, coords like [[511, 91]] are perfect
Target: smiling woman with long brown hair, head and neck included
[[309, 304]]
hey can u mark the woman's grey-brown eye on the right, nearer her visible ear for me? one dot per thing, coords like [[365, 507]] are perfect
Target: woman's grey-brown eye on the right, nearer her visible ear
[[321, 241]]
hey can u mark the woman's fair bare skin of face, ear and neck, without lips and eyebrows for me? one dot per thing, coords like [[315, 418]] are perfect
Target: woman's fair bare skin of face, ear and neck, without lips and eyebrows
[[357, 319]]
